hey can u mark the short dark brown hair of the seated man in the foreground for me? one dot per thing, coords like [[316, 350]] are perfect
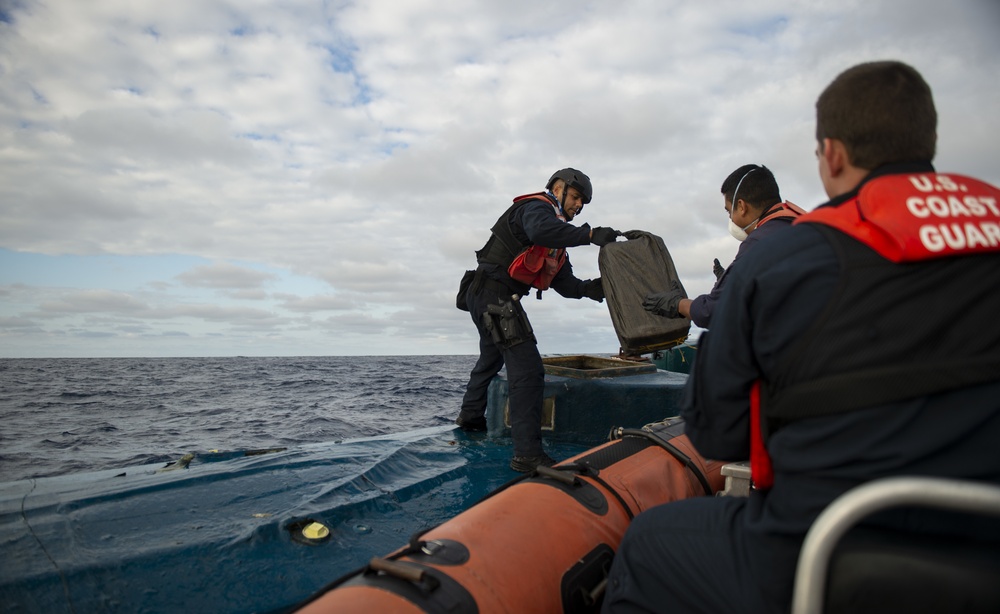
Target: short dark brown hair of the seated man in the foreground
[[883, 112]]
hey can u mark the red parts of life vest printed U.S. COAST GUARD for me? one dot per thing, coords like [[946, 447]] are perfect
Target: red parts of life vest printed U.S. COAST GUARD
[[903, 218]]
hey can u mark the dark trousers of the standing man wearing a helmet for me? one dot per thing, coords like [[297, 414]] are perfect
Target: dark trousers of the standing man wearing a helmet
[[525, 376]]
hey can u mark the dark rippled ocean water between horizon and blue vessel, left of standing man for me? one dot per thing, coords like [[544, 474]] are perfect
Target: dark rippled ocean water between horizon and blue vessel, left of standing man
[[62, 415]]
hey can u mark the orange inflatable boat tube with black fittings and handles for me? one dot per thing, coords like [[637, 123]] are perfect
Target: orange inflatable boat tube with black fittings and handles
[[540, 544]]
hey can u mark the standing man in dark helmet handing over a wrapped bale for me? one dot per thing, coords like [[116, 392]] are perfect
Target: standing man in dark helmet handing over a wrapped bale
[[527, 249]]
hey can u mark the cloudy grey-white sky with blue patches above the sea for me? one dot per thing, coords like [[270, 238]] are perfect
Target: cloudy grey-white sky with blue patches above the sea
[[249, 177]]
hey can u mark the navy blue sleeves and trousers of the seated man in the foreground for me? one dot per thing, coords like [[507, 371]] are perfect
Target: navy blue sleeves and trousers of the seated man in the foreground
[[739, 554]]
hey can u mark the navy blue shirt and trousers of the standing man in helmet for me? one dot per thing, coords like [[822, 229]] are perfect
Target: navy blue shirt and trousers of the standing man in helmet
[[534, 223]]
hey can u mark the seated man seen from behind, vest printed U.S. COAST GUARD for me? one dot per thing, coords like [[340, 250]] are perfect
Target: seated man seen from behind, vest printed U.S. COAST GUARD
[[863, 344]]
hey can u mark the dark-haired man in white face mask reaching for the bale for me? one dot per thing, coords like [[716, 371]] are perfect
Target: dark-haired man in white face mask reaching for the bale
[[755, 210]]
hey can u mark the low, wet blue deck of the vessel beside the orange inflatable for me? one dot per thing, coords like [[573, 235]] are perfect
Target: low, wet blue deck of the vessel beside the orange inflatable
[[214, 536]]
